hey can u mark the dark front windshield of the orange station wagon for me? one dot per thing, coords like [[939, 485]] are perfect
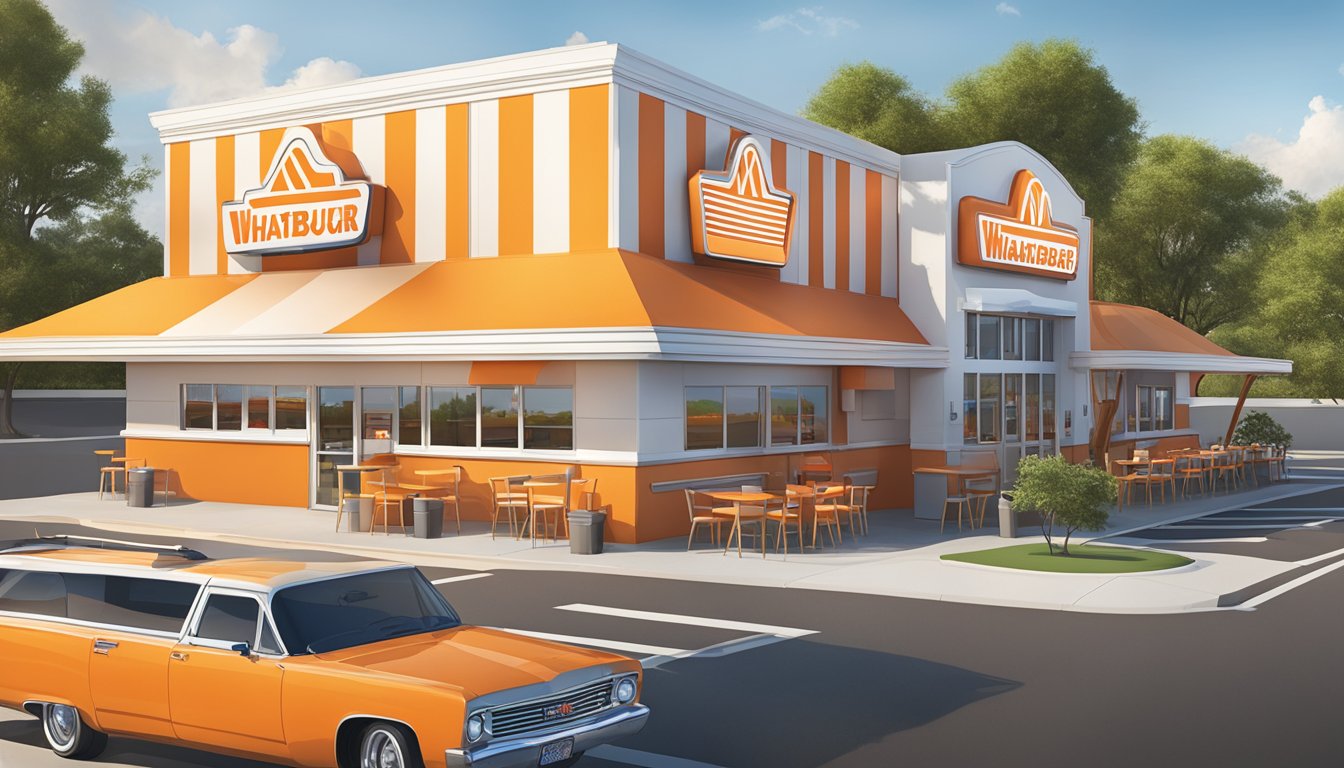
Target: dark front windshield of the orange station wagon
[[357, 610]]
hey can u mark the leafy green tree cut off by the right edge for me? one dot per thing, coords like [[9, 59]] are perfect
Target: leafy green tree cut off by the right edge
[[1298, 309]]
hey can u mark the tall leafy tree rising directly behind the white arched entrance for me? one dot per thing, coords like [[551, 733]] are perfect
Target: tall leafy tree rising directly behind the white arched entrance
[[1056, 99]]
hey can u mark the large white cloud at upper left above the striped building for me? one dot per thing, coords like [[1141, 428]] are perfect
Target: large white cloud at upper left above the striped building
[[143, 52]]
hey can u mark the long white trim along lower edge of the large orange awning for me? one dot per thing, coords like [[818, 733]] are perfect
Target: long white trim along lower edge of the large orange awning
[[647, 344]]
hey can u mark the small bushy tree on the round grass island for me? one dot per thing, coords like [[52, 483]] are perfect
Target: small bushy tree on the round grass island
[[1075, 497]]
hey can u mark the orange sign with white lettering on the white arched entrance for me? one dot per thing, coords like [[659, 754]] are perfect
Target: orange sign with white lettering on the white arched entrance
[[1019, 236]]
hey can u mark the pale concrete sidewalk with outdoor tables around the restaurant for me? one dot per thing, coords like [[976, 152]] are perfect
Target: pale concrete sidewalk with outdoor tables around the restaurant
[[901, 556]]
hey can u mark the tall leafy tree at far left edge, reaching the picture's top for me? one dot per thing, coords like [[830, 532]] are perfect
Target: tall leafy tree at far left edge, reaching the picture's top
[[56, 162]]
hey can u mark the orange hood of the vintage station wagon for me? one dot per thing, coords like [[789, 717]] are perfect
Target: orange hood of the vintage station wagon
[[478, 660]]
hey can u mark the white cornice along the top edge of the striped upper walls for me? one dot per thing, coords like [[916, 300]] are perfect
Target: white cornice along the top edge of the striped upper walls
[[534, 72]]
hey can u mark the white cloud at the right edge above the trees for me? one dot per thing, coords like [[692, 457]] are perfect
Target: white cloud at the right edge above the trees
[[1314, 162]]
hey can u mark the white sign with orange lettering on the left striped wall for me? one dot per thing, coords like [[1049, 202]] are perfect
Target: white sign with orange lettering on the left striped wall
[[304, 205]]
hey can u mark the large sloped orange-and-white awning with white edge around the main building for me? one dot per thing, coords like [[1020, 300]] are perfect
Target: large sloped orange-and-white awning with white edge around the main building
[[599, 305]]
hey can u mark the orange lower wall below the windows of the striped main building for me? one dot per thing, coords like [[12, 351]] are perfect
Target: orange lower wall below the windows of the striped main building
[[278, 475]]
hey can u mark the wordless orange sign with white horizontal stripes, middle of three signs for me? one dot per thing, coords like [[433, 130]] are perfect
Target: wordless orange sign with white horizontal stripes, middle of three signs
[[740, 215]]
